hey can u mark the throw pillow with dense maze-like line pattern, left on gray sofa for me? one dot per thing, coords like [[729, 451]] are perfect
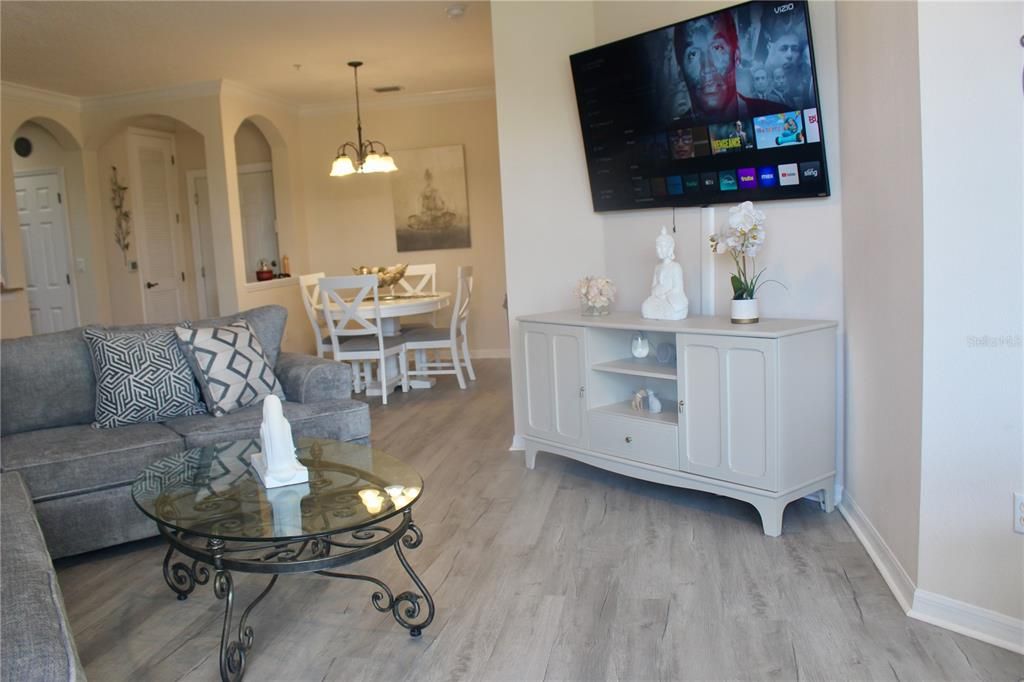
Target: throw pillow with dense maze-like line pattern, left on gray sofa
[[141, 377]]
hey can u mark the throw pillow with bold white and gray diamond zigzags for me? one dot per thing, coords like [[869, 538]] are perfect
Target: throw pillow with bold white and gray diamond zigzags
[[231, 366]]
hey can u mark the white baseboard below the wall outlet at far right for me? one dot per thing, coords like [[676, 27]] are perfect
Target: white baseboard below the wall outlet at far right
[[969, 620]]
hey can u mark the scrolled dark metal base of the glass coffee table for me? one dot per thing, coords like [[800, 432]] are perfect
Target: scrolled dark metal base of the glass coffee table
[[318, 555]]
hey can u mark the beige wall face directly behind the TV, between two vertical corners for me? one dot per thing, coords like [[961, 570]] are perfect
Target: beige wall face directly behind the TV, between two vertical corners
[[804, 249]]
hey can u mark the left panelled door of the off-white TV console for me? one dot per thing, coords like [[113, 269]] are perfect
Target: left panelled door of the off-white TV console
[[553, 357]]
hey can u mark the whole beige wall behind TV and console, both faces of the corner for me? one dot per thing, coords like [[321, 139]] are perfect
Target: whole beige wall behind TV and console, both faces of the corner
[[538, 109]]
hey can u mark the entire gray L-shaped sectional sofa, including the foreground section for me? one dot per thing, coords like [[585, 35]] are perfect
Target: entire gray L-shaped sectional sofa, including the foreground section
[[66, 487]]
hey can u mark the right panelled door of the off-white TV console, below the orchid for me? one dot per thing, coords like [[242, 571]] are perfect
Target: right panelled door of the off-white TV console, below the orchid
[[729, 412]]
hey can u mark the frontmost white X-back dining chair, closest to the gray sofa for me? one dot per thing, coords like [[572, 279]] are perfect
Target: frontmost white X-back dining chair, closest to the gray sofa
[[356, 337]]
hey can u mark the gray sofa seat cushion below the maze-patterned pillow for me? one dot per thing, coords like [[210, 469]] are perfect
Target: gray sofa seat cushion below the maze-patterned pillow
[[72, 459]]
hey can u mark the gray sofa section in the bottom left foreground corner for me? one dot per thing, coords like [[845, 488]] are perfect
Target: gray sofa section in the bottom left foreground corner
[[37, 640]]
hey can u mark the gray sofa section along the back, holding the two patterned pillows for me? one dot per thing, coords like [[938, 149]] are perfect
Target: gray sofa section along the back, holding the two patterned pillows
[[80, 478]]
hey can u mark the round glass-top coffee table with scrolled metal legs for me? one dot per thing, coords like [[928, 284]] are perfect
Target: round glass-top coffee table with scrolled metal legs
[[211, 507]]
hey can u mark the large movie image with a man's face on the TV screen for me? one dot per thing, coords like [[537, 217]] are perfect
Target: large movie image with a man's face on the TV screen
[[738, 64]]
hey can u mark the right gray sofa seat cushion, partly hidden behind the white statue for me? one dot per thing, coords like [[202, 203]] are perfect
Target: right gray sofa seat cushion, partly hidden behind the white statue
[[342, 420]]
